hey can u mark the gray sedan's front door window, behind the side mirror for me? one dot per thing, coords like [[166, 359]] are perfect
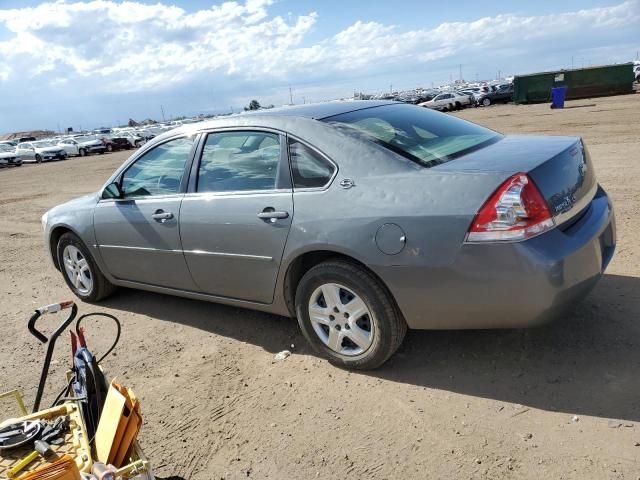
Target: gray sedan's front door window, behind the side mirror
[[159, 171]]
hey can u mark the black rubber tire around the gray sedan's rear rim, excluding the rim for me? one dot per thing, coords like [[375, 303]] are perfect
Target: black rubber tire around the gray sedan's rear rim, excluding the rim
[[387, 324]]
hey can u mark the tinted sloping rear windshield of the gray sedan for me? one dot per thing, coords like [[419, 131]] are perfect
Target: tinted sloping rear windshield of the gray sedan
[[424, 136]]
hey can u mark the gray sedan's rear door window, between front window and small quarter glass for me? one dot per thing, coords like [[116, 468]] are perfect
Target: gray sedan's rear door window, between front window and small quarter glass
[[239, 161]]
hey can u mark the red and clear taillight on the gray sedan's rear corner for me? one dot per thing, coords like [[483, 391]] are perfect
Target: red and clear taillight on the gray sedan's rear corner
[[516, 211]]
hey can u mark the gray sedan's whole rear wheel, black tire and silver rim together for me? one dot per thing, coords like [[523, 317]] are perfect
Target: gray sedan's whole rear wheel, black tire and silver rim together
[[348, 316]]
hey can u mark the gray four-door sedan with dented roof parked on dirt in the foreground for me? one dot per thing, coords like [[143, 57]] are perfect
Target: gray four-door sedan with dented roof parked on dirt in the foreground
[[359, 218]]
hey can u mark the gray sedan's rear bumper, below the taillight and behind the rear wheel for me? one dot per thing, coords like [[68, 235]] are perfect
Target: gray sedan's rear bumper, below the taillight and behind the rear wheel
[[509, 285]]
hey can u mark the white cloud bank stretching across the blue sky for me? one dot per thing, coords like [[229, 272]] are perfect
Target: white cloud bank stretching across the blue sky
[[101, 47]]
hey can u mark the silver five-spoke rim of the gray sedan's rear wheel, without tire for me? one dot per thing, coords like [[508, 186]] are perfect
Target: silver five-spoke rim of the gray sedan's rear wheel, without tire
[[341, 319]]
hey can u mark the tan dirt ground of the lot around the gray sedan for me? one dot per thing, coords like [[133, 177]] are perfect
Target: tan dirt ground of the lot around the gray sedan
[[561, 401]]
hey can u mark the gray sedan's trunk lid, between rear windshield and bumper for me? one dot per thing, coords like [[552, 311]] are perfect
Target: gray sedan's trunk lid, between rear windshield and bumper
[[559, 166]]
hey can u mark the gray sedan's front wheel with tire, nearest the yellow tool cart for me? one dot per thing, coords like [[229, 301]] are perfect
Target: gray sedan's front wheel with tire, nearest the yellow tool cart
[[80, 271]]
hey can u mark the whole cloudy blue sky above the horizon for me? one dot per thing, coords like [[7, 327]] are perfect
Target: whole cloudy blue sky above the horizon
[[85, 64]]
